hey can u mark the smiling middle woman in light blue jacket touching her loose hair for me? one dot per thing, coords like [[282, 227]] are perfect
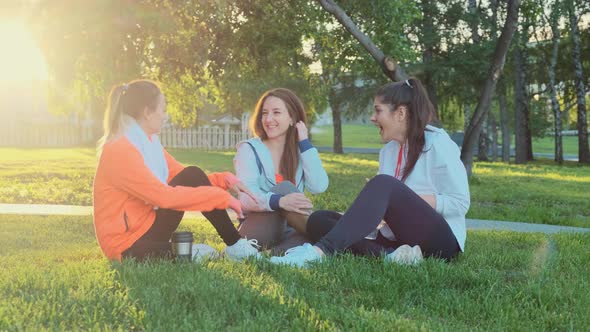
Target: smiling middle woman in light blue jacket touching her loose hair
[[278, 165]]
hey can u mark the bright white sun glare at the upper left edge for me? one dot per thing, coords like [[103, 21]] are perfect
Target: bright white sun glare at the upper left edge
[[20, 59]]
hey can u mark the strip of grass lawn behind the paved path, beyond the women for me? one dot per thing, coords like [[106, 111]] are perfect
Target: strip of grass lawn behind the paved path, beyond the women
[[539, 192]]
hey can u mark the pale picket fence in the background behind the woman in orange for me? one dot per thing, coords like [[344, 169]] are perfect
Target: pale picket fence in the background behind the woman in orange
[[61, 135]]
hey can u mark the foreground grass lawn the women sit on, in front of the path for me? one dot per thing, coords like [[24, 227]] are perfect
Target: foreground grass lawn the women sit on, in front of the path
[[54, 277]]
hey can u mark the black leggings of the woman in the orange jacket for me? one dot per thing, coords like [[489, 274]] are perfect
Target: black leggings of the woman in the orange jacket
[[156, 241]]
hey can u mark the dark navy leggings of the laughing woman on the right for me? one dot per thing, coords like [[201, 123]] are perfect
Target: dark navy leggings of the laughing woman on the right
[[411, 219]]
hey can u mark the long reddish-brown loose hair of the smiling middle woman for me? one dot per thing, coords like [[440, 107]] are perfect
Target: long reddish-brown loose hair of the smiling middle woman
[[290, 158]]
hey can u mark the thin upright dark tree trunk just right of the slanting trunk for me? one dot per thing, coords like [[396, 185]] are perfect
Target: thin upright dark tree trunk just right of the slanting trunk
[[520, 105]]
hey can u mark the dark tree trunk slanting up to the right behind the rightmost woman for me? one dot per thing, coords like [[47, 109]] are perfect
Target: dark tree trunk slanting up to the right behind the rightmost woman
[[484, 101]]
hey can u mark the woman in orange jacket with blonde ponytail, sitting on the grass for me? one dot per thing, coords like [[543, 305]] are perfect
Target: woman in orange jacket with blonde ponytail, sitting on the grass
[[141, 192]]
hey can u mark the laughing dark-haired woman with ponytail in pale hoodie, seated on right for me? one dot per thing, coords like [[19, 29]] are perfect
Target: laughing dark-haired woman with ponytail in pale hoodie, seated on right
[[415, 207]]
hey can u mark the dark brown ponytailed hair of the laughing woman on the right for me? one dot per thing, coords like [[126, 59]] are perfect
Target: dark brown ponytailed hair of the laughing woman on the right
[[413, 96]]
